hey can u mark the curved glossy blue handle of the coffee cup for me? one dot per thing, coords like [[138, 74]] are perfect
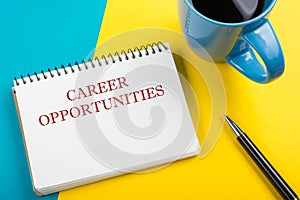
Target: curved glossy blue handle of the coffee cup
[[264, 41]]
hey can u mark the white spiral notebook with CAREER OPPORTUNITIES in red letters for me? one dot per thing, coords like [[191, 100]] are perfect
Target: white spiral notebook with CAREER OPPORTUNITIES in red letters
[[102, 118]]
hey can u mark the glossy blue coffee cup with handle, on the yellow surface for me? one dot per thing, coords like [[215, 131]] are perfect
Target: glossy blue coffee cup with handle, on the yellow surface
[[235, 43]]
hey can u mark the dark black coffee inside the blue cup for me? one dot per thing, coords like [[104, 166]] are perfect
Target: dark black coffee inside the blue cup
[[229, 11]]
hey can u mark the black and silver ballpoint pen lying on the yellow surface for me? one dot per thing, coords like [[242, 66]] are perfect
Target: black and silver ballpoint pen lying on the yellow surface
[[273, 176]]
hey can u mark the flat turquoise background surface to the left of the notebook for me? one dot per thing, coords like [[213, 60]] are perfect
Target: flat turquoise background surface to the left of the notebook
[[36, 35]]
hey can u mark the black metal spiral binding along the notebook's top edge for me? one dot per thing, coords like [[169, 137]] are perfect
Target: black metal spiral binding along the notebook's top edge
[[113, 58]]
